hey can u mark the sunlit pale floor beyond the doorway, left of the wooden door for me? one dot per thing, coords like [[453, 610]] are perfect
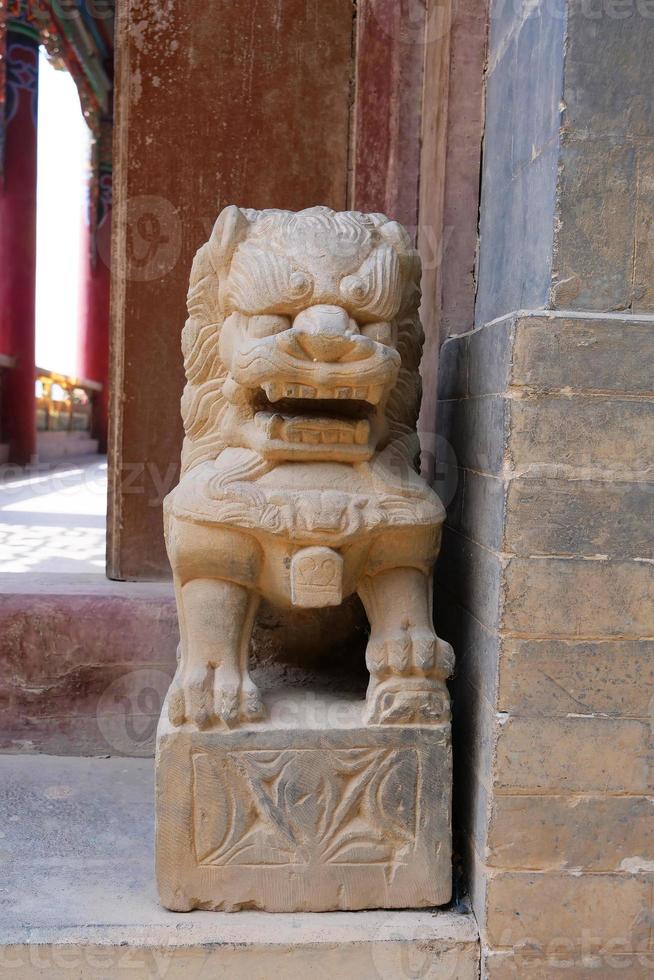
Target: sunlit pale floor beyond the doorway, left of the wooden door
[[54, 519]]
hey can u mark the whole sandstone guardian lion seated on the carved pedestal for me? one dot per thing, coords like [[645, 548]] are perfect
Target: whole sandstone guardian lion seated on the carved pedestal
[[298, 480]]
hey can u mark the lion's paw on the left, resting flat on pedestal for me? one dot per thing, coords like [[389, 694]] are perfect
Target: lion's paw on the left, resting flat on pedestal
[[206, 697]]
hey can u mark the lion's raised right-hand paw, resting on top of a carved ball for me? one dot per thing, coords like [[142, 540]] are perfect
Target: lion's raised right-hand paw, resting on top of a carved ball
[[409, 651]]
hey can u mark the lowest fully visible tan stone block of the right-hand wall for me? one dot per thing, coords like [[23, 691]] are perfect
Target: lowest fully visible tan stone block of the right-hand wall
[[527, 909]]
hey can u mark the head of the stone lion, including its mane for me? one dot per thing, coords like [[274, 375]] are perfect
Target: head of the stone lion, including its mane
[[303, 339]]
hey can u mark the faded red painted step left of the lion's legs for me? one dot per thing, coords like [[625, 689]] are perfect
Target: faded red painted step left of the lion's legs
[[85, 663]]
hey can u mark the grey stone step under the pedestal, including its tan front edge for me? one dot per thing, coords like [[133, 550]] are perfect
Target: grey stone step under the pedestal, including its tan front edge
[[77, 898]]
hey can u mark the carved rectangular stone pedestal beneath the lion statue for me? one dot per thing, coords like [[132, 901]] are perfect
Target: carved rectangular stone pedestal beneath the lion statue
[[310, 810]]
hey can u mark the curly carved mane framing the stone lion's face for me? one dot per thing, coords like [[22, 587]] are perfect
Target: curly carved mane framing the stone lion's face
[[203, 403]]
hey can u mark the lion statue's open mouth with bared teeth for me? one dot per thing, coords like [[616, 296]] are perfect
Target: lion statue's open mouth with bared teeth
[[295, 413]]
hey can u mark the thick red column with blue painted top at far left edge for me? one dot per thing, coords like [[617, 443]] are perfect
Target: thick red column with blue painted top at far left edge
[[18, 240]]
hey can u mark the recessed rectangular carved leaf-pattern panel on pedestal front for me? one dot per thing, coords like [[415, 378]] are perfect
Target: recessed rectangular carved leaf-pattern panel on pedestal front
[[305, 806]]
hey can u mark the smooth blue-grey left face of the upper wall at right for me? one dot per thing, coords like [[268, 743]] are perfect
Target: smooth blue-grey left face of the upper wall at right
[[524, 87]]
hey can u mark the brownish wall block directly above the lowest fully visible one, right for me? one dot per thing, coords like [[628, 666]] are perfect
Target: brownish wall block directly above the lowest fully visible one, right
[[571, 833]]
